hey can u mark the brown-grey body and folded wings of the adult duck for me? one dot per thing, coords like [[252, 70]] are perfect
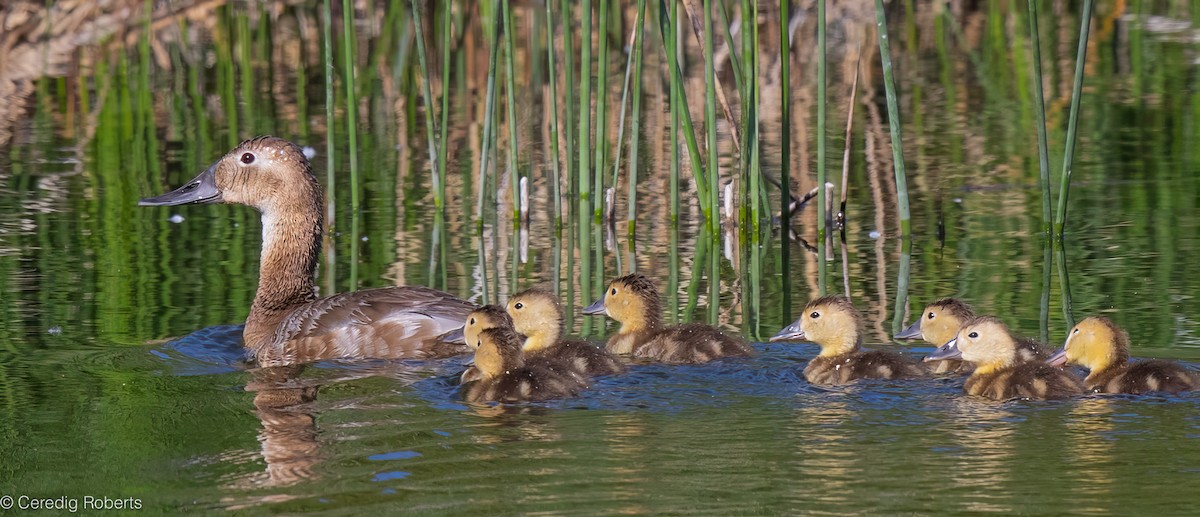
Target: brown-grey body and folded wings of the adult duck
[[385, 323]]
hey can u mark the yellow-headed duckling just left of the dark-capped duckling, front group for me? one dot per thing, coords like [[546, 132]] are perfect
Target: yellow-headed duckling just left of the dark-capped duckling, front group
[[538, 315]]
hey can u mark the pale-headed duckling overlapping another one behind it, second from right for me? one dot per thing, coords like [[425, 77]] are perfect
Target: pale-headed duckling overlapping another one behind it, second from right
[[1000, 374]]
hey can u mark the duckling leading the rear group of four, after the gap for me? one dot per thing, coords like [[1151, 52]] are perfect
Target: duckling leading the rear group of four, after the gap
[[832, 322]]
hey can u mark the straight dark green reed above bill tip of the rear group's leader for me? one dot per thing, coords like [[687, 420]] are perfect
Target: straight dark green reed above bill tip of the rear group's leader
[[785, 163]]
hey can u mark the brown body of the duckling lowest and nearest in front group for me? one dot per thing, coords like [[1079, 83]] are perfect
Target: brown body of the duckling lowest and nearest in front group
[[531, 383]]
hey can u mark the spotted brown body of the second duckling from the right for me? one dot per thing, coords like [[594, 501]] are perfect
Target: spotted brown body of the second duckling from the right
[[1024, 381]]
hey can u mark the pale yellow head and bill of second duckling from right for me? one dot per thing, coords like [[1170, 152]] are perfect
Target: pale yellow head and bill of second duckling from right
[[983, 341]]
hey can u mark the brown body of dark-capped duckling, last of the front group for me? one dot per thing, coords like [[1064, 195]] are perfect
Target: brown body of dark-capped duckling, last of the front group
[[692, 344]]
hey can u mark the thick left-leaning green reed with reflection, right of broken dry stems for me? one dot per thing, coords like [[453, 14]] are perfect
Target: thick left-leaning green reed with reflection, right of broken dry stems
[[898, 164]]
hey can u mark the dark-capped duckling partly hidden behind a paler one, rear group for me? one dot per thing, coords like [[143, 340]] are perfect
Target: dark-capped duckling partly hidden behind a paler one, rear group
[[940, 323]]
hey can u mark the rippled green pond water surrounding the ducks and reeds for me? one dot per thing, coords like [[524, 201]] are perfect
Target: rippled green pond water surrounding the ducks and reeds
[[93, 402]]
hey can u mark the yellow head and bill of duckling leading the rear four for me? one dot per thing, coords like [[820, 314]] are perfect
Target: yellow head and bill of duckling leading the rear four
[[831, 322]]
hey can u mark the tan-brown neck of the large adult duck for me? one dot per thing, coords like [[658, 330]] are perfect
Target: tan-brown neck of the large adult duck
[[291, 249]]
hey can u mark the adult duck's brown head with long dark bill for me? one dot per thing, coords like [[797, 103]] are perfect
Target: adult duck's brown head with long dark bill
[[268, 173]]
